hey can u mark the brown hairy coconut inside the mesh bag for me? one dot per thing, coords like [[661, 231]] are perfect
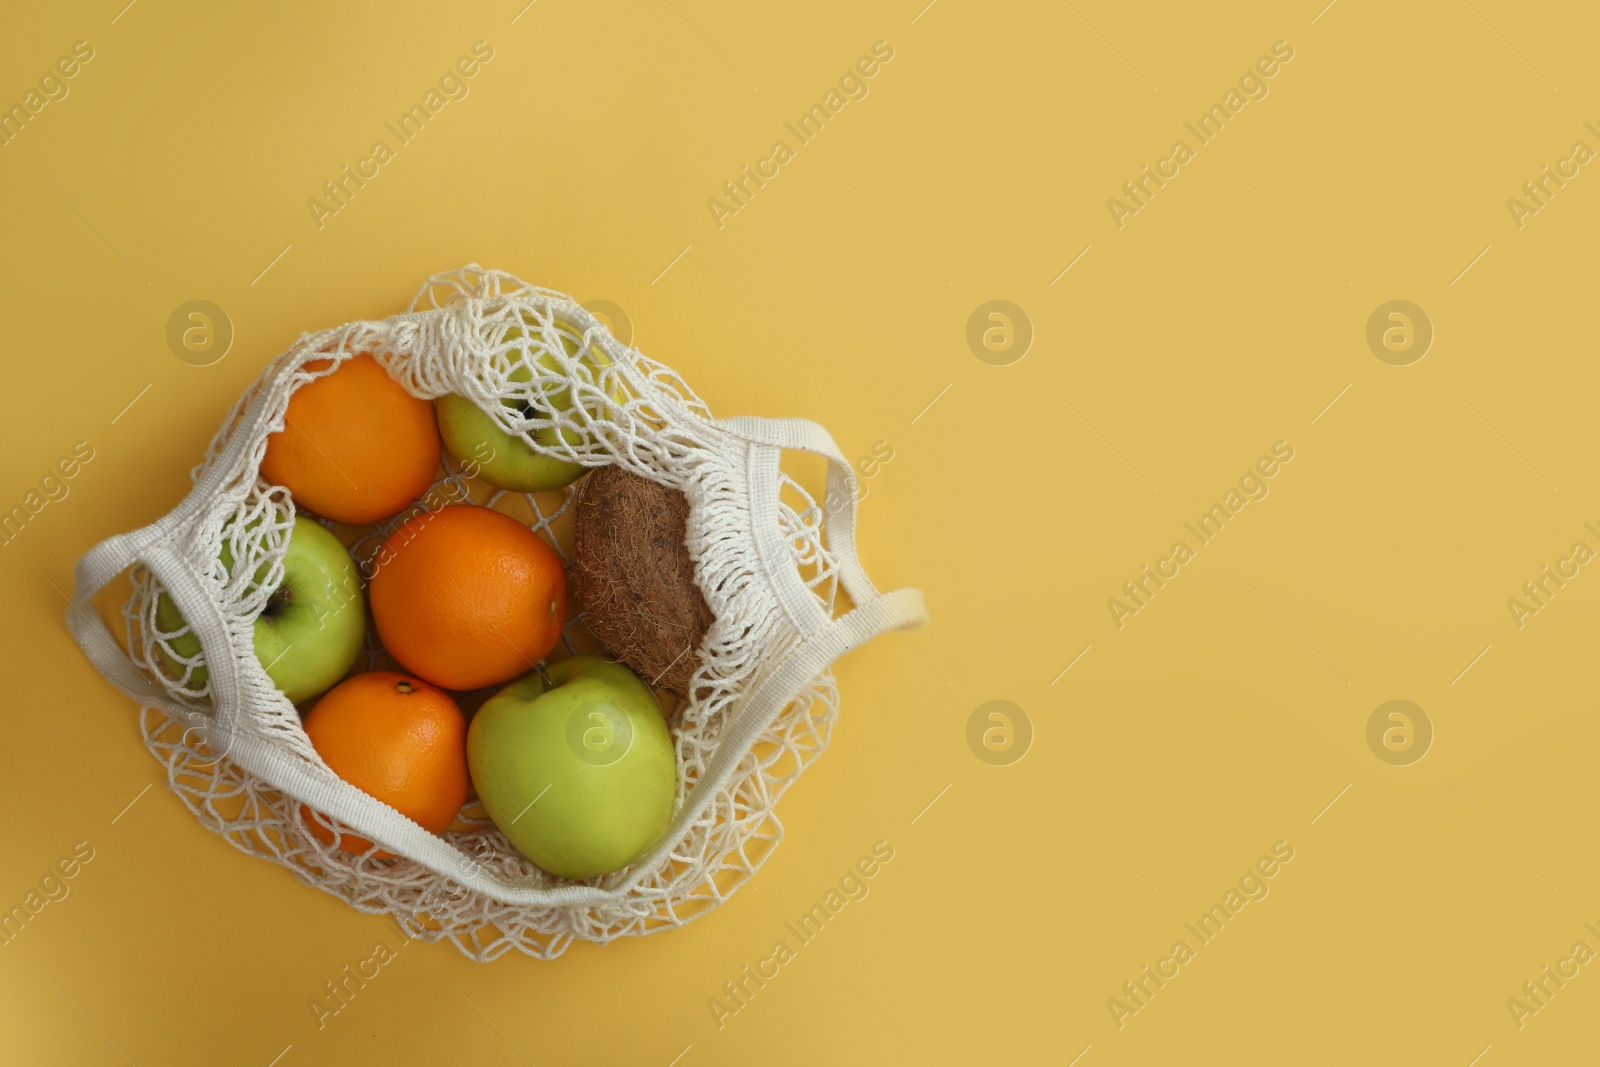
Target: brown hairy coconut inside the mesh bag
[[634, 575]]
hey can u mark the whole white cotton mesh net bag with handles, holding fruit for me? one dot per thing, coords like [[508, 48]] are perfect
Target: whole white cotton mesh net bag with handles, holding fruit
[[778, 572]]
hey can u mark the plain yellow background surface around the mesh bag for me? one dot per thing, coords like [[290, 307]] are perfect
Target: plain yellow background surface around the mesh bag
[[1220, 319]]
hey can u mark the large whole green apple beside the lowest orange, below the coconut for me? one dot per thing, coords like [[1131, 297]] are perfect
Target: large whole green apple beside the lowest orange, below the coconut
[[577, 770]]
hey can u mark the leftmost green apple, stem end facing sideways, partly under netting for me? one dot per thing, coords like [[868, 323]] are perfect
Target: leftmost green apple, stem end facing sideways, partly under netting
[[310, 634]]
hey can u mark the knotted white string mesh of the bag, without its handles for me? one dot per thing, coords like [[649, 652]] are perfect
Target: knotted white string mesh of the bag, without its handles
[[535, 361]]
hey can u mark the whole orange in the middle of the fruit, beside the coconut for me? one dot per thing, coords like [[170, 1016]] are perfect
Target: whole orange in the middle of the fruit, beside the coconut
[[468, 597]]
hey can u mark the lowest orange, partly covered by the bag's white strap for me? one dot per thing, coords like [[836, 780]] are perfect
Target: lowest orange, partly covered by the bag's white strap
[[394, 738]]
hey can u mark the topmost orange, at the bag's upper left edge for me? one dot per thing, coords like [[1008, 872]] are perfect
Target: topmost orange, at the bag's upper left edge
[[354, 447]]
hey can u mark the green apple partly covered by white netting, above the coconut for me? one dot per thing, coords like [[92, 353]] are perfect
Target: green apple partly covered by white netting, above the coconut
[[505, 460]]
